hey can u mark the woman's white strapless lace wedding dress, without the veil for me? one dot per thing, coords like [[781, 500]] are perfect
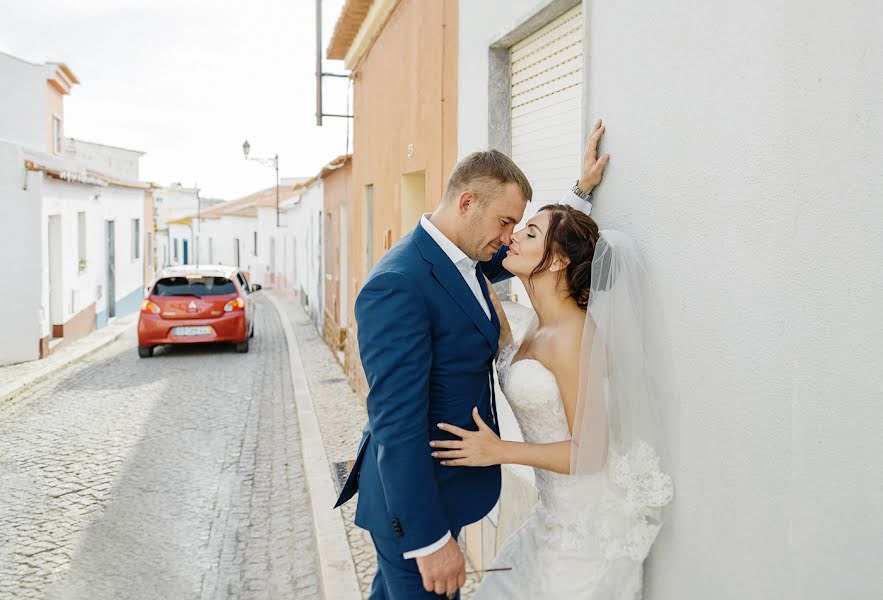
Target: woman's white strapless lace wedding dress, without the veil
[[588, 536]]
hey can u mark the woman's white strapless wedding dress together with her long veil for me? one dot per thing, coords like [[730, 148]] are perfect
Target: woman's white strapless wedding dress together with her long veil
[[589, 534]]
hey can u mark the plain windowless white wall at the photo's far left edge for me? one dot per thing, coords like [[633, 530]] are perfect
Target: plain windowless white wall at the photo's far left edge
[[20, 217]]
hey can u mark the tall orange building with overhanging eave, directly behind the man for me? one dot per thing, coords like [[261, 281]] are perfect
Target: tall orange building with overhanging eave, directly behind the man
[[403, 58]]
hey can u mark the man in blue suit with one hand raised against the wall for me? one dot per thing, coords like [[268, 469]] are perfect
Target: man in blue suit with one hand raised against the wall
[[428, 336]]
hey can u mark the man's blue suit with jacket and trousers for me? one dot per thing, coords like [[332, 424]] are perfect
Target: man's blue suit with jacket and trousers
[[427, 348]]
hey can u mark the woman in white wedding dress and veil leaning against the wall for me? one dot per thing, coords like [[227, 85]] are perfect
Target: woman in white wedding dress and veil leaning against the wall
[[584, 383]]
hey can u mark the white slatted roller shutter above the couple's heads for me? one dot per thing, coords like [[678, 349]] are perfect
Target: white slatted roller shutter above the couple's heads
[[546, 109]]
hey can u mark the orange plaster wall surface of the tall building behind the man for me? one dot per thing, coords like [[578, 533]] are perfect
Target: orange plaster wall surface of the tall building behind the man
[[405, 94]]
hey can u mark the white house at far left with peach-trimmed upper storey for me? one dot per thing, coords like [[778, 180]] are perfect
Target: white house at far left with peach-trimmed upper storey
[[72, 218]]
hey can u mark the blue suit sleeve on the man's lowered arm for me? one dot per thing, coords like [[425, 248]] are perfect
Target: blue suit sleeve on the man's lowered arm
[[395, 343]]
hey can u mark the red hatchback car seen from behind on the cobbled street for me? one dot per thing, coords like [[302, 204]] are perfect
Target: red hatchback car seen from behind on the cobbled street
[[194, 304]]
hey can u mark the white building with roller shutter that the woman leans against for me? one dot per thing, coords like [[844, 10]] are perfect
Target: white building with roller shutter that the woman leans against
[[747, 153]]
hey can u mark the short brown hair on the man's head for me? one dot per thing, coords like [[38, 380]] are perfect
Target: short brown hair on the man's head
[[484, 169]]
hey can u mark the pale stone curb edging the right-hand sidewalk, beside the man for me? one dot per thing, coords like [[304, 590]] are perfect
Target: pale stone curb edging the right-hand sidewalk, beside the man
[[337, 571]]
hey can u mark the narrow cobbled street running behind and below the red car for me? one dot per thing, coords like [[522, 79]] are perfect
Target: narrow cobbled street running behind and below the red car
[[178, 476]]
